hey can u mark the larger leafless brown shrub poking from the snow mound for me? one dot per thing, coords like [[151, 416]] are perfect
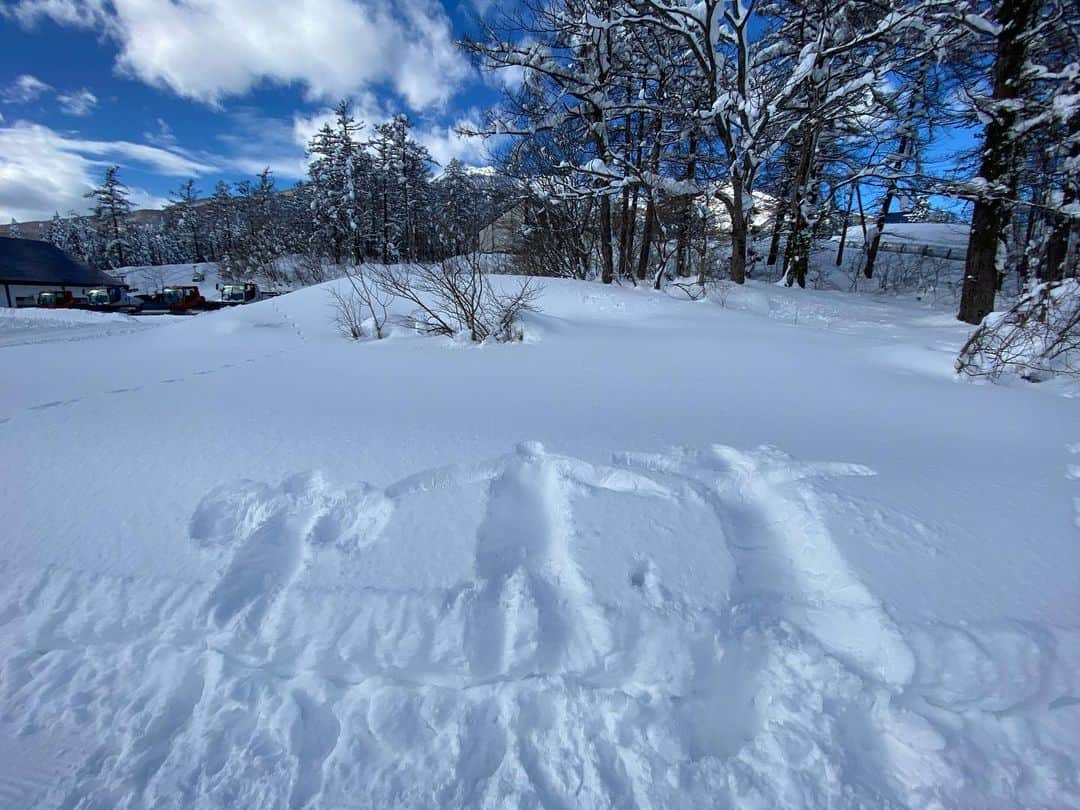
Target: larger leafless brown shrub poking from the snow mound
[[455, 298]]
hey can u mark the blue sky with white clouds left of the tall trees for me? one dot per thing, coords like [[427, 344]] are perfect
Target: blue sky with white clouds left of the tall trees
[[215, 90]]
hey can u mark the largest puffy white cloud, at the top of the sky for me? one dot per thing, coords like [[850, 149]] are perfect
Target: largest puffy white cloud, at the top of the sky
[[209, 50]]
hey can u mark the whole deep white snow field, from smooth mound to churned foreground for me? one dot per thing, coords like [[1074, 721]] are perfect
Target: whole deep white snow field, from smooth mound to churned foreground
[[663, 555]]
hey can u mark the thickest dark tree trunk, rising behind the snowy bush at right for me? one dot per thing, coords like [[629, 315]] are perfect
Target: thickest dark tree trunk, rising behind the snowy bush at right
[[990, 221]]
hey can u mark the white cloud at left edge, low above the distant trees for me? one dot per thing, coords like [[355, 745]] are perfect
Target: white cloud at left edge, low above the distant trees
[[44, 171]]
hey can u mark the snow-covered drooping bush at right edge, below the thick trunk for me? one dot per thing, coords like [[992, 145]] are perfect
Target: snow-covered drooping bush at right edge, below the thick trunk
[[1036, 339]]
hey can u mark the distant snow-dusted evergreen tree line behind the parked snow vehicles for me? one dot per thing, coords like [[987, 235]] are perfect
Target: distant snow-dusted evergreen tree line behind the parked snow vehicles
[[375, 199]]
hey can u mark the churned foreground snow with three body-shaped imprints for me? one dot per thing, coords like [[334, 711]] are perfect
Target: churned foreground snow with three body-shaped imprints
[[541, 680]]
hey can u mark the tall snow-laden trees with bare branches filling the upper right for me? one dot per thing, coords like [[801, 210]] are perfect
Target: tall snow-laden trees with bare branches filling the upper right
[[647, 113]]
